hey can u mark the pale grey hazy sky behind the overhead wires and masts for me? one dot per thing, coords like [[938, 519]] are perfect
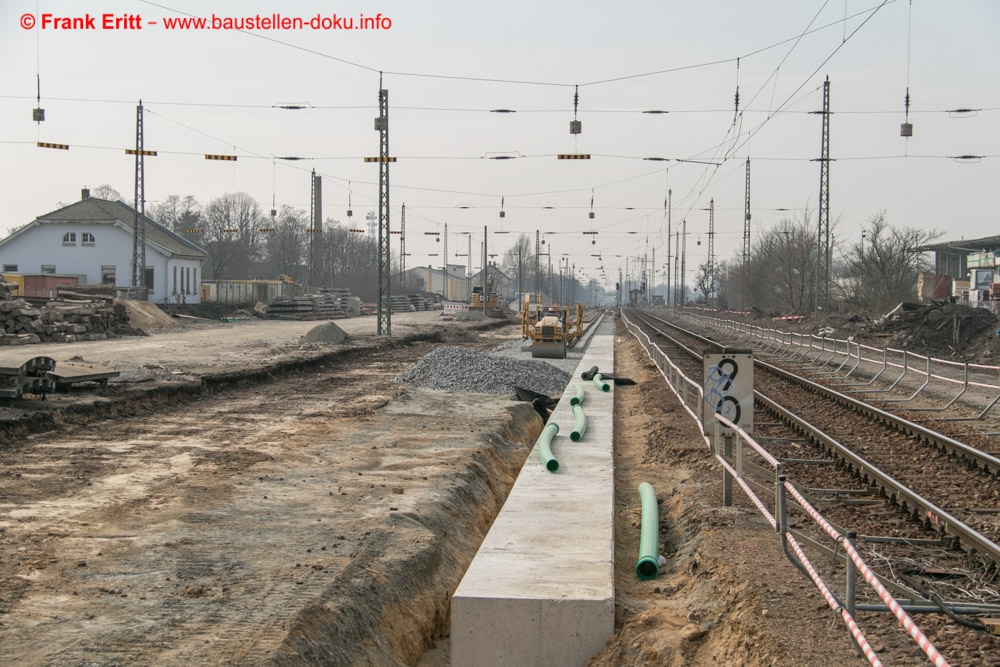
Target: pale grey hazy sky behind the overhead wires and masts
[[446, 64]]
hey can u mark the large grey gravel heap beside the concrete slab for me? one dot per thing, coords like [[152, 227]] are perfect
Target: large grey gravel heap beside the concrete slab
[[459, 369]]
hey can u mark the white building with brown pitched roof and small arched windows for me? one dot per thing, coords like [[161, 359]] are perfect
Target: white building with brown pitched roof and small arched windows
[[92, 239]]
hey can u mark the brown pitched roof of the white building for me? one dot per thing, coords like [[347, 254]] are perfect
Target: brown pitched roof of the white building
[[97, 210]]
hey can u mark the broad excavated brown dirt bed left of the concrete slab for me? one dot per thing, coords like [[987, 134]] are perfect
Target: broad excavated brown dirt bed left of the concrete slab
[[304, 512]]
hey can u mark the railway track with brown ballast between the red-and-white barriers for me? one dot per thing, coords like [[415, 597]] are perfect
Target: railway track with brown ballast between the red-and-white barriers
[[925, 504]]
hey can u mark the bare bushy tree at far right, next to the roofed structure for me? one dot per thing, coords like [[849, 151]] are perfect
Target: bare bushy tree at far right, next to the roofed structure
[[882, 268]]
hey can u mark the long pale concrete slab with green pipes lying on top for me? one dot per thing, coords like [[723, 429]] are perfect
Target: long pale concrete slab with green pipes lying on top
[[540, 591]]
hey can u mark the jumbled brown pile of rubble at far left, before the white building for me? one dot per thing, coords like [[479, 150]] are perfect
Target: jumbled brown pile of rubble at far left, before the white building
[[59, 321]]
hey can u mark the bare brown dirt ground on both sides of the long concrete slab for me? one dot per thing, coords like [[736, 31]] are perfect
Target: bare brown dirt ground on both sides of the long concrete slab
[[304, 510]]
